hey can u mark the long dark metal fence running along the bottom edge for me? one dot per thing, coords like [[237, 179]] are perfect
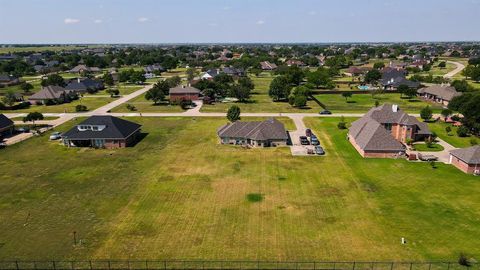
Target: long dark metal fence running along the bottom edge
[[195, 264]]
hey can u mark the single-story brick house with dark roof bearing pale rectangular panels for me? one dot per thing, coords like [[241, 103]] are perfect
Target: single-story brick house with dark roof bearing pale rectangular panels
[[102, 132]]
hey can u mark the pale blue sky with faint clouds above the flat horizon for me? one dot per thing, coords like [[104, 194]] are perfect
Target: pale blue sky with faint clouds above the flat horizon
[[175, 21]]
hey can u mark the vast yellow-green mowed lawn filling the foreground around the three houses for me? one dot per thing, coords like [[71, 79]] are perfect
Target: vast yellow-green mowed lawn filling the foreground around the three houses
[[180, 194]]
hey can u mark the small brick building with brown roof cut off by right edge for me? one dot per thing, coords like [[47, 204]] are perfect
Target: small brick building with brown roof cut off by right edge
[[467, 159]]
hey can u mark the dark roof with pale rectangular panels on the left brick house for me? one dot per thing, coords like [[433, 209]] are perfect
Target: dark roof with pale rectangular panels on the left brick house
[[115, 128]]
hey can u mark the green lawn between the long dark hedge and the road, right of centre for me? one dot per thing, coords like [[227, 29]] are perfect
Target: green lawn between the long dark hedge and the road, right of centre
[[359, 103]]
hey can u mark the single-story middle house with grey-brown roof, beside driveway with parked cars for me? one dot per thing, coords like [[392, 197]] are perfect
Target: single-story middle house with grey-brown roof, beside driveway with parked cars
[[266, 133]]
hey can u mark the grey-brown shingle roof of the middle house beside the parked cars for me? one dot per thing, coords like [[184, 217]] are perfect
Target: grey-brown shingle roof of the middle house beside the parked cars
[[270, 129]]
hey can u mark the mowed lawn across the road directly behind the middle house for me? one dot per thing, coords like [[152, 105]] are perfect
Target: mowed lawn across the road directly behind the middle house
[[261, 102]]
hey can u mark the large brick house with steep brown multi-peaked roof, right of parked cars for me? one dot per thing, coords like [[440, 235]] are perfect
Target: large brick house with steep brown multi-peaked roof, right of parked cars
[[384, 131]]
